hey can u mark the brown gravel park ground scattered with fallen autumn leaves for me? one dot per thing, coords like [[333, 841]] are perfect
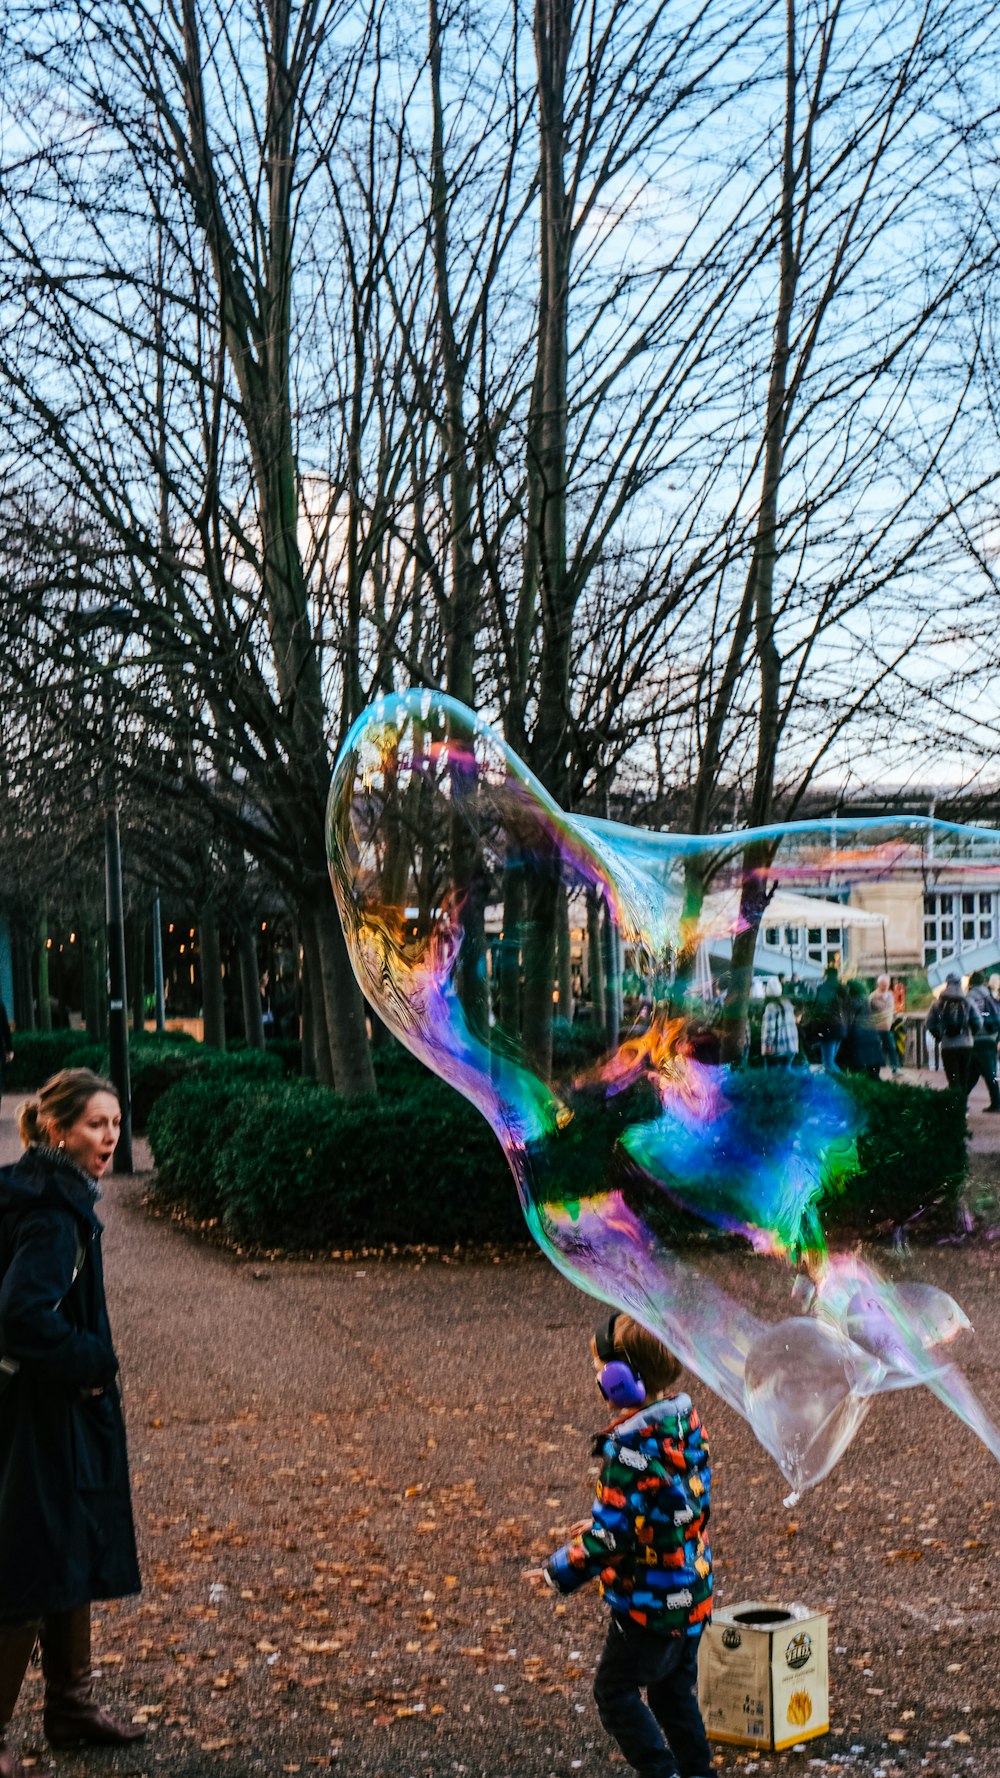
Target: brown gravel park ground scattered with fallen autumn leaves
[[343, 1468]]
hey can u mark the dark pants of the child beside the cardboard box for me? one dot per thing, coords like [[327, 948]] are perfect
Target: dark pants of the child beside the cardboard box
[[666, 1669]]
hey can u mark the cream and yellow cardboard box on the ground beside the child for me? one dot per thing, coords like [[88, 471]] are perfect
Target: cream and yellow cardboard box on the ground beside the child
[[762, 1676]]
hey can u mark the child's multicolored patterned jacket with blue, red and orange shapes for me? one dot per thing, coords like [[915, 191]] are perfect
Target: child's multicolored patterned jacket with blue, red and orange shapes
[[649, 1539]]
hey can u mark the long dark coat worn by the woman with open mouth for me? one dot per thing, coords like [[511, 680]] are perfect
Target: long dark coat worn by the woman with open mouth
[[67, 1532]]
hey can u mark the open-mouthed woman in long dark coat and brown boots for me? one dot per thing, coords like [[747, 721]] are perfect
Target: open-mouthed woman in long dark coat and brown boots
[[67, 1532]]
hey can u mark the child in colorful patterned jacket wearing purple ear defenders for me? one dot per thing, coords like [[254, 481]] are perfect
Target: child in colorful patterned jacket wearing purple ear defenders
[[647, 1542]]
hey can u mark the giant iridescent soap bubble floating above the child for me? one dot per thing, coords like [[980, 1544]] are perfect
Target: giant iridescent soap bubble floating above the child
[[481, 917]]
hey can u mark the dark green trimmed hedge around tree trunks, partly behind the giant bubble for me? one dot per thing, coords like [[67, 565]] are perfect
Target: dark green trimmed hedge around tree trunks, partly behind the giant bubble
[[287, 1164]]
